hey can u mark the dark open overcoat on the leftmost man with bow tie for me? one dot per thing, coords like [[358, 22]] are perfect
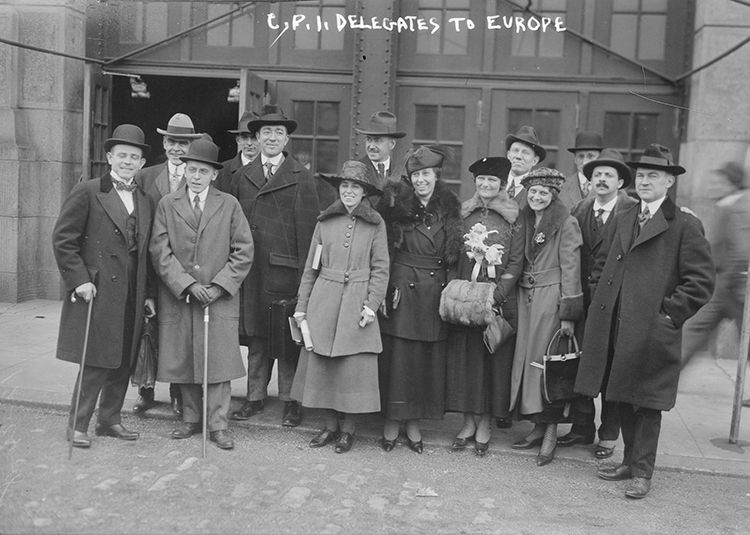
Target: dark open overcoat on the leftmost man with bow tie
[[90, 245]]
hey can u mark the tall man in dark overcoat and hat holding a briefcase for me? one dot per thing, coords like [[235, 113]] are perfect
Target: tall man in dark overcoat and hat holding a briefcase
[[280, 199]]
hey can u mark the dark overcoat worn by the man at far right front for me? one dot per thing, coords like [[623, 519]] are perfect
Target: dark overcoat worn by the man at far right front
[[663, 270]]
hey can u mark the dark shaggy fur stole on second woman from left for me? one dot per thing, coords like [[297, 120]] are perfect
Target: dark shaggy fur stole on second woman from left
[[401, 209]]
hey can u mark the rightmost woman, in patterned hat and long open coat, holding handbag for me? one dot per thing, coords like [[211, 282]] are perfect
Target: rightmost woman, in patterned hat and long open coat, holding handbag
[[549, 298]]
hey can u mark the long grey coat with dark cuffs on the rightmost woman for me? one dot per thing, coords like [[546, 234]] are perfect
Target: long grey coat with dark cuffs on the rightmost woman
[[549, 292]]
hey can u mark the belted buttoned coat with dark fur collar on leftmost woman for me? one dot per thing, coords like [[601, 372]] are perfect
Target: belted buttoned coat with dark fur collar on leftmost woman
[[353, 273]]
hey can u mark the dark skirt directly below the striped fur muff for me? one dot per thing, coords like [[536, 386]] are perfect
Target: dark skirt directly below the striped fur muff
[[477, 382]]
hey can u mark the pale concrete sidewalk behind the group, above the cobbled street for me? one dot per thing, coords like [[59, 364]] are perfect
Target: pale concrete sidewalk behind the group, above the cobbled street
[[694, 434]]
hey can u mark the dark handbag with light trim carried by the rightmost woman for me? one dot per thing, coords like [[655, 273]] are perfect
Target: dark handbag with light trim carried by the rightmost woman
[[560, 368]]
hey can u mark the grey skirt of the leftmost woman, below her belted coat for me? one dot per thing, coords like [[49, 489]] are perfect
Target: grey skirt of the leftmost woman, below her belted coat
[[345, 384]]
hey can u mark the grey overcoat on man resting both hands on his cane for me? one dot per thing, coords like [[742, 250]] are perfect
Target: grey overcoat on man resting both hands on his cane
[[218, 250]]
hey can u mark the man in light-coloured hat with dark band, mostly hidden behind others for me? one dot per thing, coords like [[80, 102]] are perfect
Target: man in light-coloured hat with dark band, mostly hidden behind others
[[157, 181]]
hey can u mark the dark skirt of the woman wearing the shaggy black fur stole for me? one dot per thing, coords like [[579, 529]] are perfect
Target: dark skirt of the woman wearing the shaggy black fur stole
[[412, 379]]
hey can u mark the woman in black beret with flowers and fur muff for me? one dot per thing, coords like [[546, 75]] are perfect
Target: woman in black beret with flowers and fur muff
[[477, 382]]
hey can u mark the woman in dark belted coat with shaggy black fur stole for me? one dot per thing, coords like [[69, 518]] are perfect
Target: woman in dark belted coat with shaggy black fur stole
[[425, 237]]
